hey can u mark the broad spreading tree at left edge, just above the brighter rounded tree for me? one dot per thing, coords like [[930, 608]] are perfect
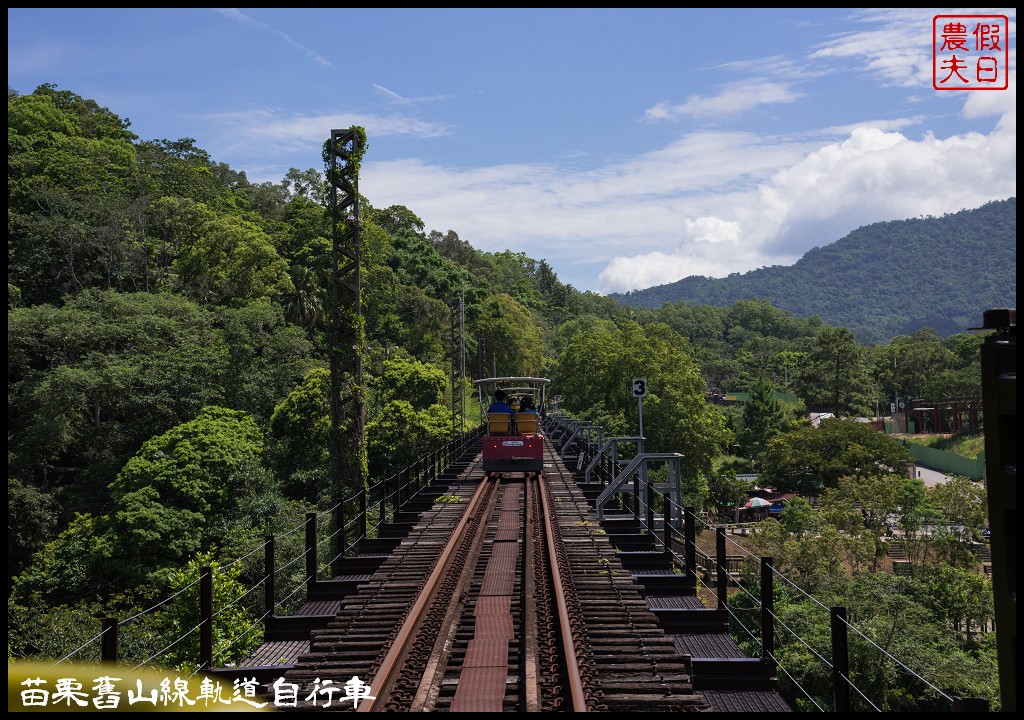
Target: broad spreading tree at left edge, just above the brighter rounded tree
[[91, 382]]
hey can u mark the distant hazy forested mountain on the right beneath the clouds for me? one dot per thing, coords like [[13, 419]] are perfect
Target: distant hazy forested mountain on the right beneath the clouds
[[883, 280]]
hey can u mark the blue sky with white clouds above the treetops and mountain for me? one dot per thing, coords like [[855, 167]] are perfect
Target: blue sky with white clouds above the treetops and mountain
[[628, 148]]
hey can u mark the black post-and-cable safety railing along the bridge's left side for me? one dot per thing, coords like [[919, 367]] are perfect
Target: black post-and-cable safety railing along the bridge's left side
[[220, 613]]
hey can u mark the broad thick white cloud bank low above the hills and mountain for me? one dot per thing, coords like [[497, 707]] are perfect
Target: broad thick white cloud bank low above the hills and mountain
[[710, 203]]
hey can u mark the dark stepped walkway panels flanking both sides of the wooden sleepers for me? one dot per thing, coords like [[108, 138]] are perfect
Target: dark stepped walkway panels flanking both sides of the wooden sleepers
[[652, 586]]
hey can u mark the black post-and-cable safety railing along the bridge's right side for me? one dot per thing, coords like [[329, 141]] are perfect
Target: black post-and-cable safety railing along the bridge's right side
[[743, 588]]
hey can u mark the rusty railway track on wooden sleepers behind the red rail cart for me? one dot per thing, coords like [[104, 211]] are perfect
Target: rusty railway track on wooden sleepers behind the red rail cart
[[505, 597]]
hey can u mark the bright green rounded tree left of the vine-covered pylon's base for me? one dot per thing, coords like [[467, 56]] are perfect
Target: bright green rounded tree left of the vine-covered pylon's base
[[167, 505]]
